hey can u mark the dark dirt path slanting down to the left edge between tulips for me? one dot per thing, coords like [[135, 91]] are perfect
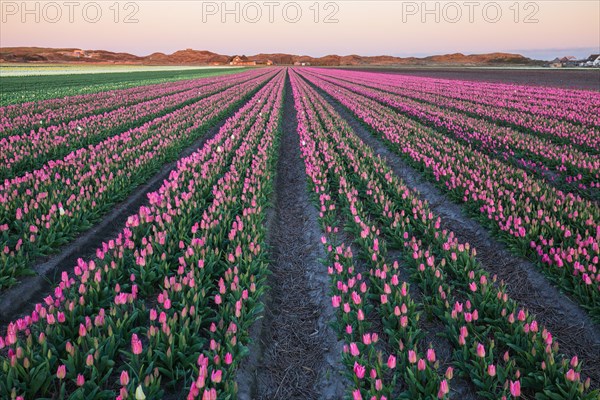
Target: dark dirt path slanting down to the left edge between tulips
[[21, 298]]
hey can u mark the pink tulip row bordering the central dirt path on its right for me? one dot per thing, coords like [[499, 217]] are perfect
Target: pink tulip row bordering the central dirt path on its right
[[377, 372]]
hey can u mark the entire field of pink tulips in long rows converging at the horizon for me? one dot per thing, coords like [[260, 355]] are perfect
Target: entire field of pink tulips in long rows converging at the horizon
[[174, 303]]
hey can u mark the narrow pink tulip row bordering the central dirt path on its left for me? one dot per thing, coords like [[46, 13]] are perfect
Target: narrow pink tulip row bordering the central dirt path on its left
[[242, 253]]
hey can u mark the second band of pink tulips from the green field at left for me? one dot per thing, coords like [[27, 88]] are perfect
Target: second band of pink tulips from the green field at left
[[22, 153]]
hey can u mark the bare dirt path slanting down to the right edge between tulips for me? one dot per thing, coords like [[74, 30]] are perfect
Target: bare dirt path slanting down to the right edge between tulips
[[569, 324]]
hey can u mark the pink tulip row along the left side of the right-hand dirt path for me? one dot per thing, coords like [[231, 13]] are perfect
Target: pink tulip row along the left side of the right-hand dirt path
[[482, 322]]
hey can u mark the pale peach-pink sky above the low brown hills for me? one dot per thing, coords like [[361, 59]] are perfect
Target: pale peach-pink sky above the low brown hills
[[540, 29]]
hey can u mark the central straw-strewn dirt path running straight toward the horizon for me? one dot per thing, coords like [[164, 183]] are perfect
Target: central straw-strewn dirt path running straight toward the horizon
[[295, 353]]
